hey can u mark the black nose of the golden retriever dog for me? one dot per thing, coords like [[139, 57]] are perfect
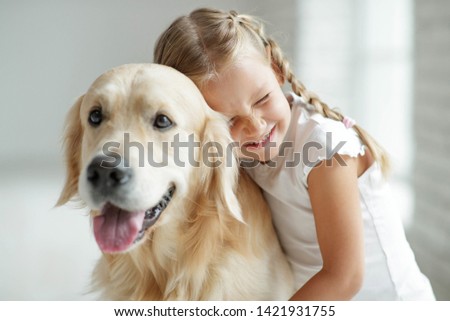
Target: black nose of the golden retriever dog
[[101, 172]]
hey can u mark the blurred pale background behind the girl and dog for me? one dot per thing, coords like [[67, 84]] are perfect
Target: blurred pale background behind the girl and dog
[[385, 63]]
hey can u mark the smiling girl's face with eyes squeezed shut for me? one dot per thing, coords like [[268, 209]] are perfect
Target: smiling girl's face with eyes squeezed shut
[[249, 94]]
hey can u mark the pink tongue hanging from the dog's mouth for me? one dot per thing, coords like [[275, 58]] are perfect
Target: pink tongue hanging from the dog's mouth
[[116, 229]]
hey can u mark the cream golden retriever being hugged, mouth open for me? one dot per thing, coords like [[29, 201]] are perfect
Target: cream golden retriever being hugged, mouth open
[[172, 213]]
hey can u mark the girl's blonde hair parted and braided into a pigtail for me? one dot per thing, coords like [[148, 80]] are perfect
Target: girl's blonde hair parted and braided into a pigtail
[[207, 41]]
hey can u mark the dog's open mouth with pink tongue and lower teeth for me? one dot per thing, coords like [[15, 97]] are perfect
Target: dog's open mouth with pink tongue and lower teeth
[[116, 229]]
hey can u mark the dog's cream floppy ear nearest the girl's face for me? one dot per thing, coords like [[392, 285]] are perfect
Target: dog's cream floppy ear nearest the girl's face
[[221, 166]]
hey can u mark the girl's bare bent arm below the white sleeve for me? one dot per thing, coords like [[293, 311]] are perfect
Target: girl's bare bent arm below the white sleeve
[[334, 193]]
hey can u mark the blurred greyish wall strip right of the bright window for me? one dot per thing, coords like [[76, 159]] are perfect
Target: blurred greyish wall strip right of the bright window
[[431, 229]]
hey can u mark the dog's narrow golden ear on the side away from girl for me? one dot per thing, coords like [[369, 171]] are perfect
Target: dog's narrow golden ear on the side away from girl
[[72, 151]]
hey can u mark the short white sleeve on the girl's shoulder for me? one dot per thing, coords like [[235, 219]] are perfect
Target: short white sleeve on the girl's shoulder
[[326, 139]]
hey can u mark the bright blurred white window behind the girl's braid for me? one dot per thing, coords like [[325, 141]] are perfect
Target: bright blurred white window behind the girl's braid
[[357, 56]]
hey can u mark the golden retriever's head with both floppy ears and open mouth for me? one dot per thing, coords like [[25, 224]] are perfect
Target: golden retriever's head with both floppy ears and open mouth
[[137, 143]]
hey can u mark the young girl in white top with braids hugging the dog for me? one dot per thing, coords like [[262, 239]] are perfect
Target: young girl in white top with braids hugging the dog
[[321, 174]]
